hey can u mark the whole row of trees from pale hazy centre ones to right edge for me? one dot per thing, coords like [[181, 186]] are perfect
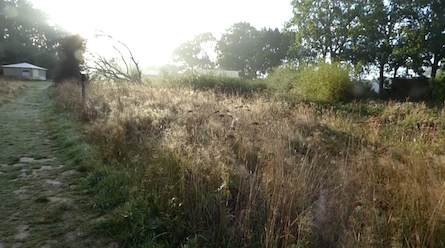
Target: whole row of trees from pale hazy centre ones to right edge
[[388, 35]]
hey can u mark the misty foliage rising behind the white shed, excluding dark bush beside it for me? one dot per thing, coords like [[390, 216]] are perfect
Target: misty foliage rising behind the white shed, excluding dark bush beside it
[[26, 36]]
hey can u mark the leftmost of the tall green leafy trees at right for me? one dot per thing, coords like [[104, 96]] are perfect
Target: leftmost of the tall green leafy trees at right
[[321, 28]]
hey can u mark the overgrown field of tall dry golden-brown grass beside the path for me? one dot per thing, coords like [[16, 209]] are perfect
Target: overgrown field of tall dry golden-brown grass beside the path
[[181, 167]]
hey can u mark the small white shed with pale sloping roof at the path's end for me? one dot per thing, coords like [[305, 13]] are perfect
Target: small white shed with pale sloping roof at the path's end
[[25, 70]]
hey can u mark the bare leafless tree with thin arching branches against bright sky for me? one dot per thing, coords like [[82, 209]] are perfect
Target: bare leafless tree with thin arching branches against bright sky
[[122, 66]]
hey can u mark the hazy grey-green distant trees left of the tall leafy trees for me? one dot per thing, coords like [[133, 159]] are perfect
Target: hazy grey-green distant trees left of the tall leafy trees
[[242, 48]]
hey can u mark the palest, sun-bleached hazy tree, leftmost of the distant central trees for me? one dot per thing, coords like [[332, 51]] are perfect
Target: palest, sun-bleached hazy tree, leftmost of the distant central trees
[[196, 53]]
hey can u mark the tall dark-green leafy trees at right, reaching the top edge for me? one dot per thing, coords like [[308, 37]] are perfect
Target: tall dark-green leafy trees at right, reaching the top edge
[[386, 34]]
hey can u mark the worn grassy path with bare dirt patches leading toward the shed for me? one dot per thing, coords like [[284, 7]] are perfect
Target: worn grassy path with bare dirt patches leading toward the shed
[[39, 204]]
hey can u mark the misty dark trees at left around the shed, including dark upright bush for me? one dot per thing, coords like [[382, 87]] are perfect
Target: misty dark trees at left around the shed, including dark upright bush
[[27, 36]]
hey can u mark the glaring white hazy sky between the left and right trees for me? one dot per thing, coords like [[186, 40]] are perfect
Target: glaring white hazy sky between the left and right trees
[[153, 29]]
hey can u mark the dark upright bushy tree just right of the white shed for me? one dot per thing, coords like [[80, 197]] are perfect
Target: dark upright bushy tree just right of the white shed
[[71, 58]]
